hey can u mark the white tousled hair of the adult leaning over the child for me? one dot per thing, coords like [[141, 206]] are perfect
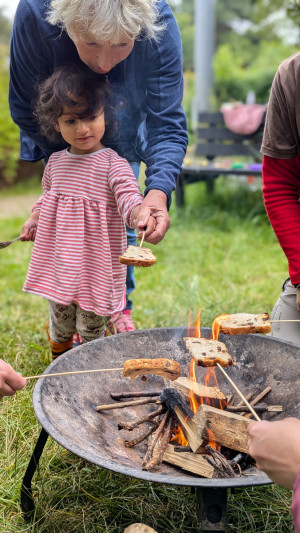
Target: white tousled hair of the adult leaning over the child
[[107, 19]]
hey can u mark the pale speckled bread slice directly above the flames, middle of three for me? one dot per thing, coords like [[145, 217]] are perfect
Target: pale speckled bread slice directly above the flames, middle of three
[[208, 352]]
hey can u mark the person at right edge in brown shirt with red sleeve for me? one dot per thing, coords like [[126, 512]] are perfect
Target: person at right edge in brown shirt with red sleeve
[[281, 179]]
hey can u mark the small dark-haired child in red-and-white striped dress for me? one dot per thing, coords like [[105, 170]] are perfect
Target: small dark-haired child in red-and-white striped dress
[[78, 224]]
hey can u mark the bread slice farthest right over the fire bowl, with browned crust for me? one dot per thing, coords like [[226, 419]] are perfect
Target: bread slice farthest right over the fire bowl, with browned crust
[[242, 323]]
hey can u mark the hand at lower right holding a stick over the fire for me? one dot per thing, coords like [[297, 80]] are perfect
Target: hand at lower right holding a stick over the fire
[[275, 446]]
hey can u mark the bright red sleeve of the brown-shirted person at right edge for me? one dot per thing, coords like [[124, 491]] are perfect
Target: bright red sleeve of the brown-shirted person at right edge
[[281, 196]]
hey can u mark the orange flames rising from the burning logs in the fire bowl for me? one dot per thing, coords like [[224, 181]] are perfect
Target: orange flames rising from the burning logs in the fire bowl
[[210, 380]]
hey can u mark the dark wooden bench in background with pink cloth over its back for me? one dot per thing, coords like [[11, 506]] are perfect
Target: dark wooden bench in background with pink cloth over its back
[[214, 139]]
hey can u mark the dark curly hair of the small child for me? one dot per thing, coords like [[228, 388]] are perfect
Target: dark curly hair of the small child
[[71, 86]]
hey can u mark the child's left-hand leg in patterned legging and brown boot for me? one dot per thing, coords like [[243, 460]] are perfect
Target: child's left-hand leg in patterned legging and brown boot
[[62, 326]]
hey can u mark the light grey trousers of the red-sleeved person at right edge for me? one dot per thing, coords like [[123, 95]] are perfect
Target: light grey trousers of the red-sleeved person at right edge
[[285, 309]]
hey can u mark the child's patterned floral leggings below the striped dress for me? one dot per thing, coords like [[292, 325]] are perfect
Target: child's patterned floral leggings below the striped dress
[[65, 320]]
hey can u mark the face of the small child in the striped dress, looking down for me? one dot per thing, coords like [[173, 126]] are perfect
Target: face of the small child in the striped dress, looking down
[[83, 134]]
